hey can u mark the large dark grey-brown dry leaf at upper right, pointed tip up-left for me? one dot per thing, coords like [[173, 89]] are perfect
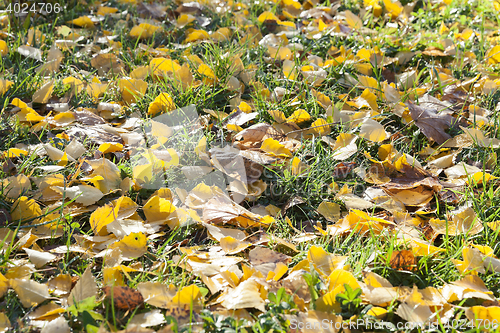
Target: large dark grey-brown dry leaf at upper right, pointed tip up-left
[[432, 124]]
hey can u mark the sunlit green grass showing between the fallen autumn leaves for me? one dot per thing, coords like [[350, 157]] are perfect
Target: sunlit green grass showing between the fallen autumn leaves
[[365, 252]]
